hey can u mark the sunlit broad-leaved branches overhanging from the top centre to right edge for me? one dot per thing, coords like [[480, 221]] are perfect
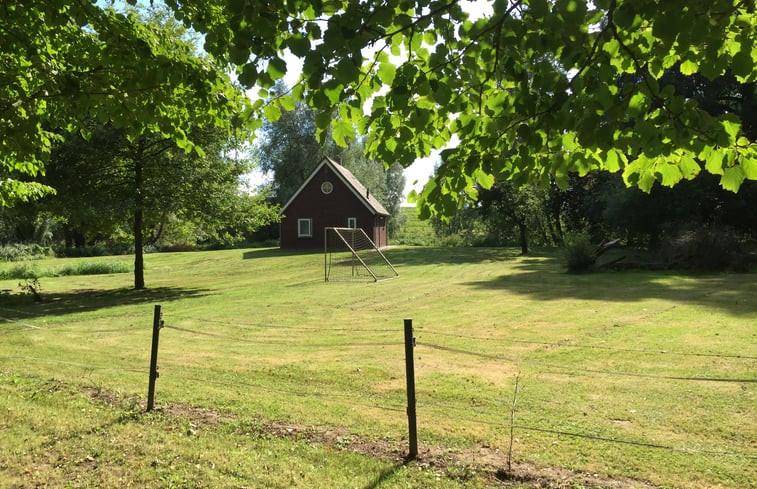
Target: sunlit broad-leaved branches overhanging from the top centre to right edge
[[531, 92]]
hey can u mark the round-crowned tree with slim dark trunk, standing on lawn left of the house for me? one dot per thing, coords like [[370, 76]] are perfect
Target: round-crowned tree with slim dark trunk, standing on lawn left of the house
[[109, 183]]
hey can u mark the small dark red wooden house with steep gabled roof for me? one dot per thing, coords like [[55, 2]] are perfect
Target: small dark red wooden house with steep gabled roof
[[330, 197]]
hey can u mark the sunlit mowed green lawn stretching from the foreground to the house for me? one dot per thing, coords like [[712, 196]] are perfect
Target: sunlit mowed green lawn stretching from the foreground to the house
[[641, 376]]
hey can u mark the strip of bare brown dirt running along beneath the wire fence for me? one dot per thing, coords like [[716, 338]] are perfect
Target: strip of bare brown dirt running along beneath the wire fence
[[459, 464]]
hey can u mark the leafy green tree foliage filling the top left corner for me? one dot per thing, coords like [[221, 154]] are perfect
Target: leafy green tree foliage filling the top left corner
[[66, 62]]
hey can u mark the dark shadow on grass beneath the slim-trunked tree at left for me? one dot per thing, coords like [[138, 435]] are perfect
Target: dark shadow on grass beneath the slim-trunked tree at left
[[21, 306]]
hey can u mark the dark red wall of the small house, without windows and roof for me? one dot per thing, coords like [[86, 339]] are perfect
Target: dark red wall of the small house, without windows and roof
[[330, 210]]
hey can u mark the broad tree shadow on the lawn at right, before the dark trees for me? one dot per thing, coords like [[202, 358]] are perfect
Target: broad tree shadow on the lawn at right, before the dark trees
[[546, 280]]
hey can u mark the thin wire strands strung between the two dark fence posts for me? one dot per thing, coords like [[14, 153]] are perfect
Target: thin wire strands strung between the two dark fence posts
[[438, 410]]
